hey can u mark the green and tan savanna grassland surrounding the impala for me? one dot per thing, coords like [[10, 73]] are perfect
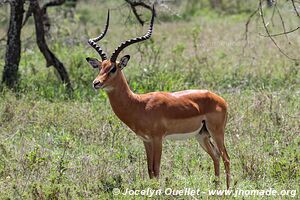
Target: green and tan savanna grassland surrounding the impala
[[59, 146]]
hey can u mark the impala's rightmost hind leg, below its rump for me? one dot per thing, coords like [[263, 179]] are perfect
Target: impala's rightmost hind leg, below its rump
[[217, 133]]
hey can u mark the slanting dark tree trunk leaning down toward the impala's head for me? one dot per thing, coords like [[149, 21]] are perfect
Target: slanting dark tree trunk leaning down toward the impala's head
[[51, 59]]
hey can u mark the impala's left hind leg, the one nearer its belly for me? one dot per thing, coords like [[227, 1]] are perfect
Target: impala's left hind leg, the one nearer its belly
[[204, 140]]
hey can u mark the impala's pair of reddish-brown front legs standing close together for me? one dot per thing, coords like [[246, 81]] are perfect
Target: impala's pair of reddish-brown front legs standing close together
[[153, 151]]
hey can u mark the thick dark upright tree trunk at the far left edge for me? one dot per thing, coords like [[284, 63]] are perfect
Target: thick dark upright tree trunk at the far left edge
[[13, 48]]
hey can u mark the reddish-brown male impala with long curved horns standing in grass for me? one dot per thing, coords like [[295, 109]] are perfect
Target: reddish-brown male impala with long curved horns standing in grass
[[158, 115]]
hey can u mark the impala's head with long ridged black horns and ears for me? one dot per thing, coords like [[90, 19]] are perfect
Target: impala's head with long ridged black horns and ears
[[109, 69]]
